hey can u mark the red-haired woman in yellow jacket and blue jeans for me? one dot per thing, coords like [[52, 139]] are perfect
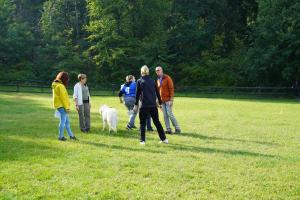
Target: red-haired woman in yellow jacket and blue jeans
[[61, 103]]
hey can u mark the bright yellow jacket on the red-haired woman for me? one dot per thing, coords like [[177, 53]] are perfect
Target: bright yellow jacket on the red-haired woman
[[60, 96]]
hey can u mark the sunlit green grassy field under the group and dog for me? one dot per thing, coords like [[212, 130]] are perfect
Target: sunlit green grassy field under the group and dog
[[229, 149]]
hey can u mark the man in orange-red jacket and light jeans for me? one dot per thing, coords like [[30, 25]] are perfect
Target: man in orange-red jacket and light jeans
[[166, 90]]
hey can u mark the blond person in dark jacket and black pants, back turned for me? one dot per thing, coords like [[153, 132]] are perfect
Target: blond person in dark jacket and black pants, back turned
[[147, 92]]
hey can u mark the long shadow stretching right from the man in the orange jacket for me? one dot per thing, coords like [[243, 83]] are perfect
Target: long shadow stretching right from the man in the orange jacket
[[204, 137]]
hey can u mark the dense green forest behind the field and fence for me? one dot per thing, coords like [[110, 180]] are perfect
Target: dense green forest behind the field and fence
[[198, 42]]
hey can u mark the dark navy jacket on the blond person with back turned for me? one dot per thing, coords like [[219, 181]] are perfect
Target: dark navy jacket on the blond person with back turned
[[147, 92]]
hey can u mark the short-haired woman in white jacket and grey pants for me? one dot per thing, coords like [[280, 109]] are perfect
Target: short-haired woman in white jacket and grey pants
[[82, 100]]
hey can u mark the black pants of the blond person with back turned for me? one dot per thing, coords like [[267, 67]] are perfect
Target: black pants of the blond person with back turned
[[153, 112]]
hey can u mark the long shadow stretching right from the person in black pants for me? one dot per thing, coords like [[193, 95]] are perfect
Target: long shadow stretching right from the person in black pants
[[196, 149]]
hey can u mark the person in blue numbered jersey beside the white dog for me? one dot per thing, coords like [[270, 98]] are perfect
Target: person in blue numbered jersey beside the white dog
[[128, 90]]
